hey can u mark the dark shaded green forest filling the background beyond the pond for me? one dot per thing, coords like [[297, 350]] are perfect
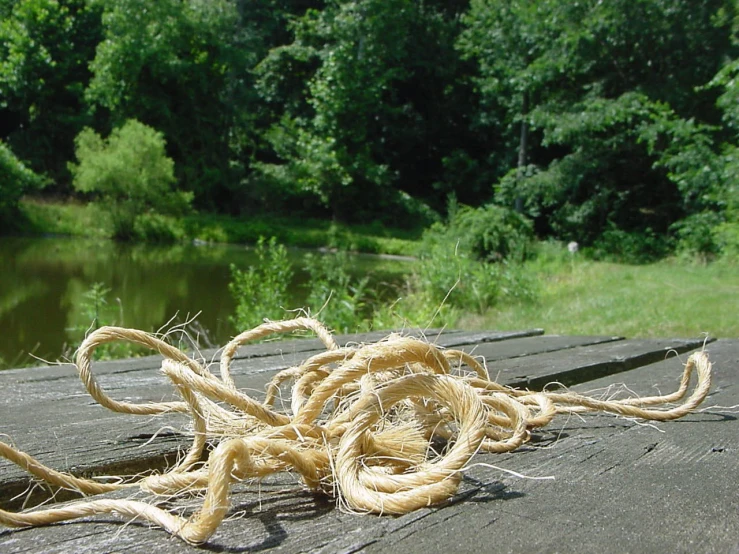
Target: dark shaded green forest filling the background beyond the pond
[[608, 123]]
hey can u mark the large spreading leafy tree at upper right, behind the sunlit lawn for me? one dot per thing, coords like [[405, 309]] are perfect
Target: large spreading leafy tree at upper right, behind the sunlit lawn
[[594, 81]]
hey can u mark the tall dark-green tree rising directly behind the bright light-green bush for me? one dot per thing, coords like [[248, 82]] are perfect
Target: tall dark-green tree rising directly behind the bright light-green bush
[[181, 67]]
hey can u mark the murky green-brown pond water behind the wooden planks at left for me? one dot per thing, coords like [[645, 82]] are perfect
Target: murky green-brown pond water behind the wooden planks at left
[[45, 284]]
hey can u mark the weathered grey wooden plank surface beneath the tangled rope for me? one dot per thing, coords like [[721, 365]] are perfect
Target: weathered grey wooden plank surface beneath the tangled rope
[[619, 485]]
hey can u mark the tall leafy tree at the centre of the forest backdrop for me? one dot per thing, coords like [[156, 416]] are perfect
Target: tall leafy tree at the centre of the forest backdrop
[[380, 109]]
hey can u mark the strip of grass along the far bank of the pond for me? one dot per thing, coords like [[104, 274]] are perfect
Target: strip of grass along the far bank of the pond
[[46, 217]]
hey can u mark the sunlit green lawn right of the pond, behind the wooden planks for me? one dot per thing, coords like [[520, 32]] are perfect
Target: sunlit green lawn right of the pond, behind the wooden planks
[[672, 298]]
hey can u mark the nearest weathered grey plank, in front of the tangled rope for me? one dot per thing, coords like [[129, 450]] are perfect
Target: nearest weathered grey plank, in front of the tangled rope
[[618, 487]]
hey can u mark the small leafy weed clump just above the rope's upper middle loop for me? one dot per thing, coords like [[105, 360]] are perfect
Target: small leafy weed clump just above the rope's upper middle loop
[[335, 297]]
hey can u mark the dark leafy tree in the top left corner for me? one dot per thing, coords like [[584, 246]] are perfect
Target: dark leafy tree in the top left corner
[[45, 48]]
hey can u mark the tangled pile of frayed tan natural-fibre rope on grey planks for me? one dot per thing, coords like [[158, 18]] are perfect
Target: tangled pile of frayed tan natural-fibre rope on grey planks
[[363, 424]]
